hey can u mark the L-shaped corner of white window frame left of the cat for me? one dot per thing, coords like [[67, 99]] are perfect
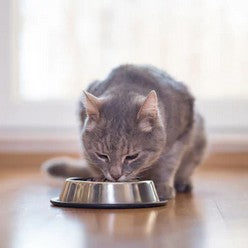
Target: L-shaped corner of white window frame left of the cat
[[17, 113]]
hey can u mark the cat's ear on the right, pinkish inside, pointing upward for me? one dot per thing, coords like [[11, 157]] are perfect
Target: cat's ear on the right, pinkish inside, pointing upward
[[148, 112]]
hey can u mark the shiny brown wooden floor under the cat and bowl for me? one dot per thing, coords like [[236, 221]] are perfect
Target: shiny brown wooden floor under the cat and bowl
[[214, 215]]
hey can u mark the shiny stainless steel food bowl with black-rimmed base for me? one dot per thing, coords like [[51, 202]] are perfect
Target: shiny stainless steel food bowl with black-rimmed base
[[79, 192]]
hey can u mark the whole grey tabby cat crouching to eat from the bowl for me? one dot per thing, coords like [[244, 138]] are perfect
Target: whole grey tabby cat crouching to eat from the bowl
[[138, 124]]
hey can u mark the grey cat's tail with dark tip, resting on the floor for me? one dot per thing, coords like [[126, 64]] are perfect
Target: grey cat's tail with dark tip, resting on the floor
[[57, 169]]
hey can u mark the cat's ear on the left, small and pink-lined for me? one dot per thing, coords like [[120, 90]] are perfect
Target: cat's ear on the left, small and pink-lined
[[92, 105]]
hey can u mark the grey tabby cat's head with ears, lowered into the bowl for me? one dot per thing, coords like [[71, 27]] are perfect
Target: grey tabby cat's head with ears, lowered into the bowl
[[121, 137]]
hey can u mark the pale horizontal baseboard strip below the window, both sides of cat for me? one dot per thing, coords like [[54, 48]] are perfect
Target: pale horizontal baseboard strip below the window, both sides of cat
[[61, 141]]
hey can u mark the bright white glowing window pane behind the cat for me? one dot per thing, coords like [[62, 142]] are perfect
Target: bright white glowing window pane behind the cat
[[62, 45]]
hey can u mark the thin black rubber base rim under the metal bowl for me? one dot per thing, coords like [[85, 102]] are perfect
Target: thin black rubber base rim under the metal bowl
[[57, 203]]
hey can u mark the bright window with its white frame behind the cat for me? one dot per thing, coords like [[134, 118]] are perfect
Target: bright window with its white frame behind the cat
[[53, 49]]
